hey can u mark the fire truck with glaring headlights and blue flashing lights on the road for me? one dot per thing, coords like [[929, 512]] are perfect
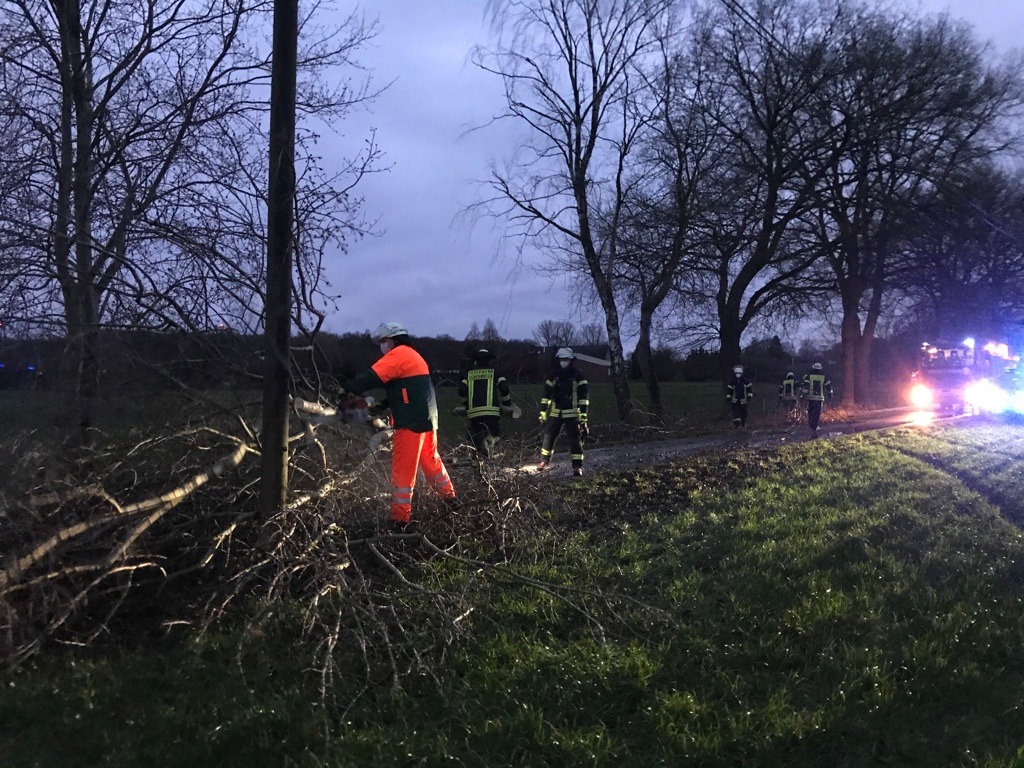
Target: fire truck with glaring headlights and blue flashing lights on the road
[[961, 377]]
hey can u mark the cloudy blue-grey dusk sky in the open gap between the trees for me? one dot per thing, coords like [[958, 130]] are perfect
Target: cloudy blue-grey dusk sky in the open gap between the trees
[[432, 269]]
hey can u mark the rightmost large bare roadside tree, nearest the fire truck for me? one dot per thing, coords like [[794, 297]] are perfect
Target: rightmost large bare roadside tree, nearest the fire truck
[[919, 103]]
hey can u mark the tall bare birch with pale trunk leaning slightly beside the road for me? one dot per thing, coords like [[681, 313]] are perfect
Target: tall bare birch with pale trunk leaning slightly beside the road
[[571, 71]]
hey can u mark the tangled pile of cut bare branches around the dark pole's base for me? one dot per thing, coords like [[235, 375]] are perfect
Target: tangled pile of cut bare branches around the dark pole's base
[[152, 534]]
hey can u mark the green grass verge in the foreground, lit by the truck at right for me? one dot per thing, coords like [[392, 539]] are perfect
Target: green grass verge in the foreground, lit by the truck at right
[[849, 603]]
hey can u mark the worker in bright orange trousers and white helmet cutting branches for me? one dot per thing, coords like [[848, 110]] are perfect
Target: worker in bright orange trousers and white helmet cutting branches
[[404, 375]]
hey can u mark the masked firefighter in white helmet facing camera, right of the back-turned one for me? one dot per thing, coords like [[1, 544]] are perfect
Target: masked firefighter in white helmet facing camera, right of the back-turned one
[[565, 405]]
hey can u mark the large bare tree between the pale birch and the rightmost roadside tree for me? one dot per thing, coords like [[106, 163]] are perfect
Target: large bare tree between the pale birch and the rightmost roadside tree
[[772, 62]]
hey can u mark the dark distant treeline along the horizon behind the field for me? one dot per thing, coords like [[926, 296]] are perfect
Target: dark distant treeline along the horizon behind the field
[[142, 361]]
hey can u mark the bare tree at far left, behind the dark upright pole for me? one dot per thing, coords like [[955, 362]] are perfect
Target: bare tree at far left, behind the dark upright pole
[[144, 198]]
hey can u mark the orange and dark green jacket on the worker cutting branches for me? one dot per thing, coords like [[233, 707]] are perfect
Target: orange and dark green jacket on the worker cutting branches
[[406, 379]]
